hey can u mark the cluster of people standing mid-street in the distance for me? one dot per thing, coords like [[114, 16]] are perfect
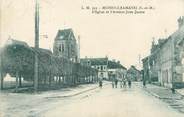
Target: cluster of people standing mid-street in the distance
[[123, 83]]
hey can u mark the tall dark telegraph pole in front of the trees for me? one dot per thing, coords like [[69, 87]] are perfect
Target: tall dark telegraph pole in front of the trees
[[36, 45]]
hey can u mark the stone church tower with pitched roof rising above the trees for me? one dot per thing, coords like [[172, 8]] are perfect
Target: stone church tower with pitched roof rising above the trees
[[65, 45]]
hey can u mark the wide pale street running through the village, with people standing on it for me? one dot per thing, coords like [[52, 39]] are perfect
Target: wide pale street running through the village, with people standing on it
[[95, 102]]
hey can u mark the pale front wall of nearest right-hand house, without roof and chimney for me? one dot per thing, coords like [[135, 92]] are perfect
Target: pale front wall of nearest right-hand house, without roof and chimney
[[171, 73]]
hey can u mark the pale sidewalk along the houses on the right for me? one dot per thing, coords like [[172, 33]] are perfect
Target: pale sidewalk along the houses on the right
[[162, 92]]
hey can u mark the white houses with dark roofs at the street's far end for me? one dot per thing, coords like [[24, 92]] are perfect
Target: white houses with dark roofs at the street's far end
[[107, 69]]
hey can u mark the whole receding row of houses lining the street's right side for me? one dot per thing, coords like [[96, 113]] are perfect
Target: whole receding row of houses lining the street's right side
[[165, 63]]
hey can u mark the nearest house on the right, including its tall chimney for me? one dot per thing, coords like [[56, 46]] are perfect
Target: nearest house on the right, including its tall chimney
[[171, 72]]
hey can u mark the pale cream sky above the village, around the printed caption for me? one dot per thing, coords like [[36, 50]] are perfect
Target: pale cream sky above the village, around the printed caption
[[119, 36]]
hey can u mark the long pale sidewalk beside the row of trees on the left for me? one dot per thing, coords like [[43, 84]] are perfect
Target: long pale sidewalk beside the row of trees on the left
[[60, 93]]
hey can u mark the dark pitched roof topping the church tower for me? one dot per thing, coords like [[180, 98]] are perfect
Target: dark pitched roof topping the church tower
[[64, 34]]
